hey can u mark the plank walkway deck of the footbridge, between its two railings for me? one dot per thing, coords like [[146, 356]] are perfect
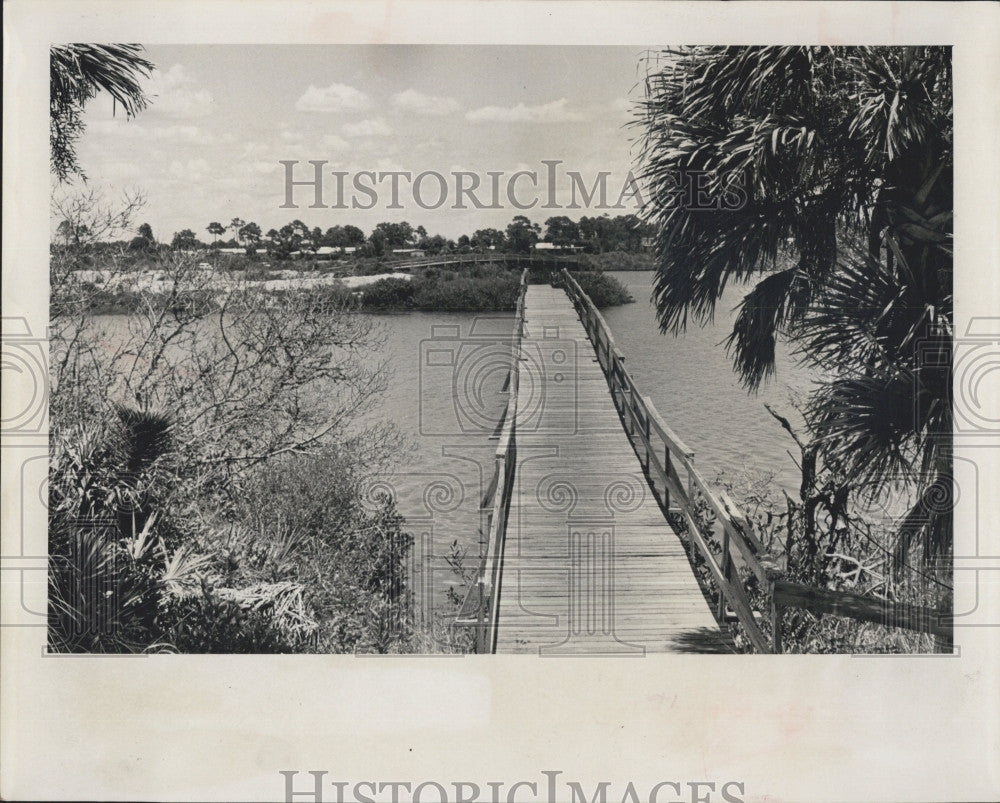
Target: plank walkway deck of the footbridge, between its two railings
[[590, 565]]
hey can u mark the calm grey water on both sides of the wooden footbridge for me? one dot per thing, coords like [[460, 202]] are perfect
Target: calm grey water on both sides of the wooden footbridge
[[446, 396]]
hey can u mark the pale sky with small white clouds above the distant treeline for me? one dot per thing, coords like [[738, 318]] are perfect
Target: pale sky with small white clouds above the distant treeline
[[222, 117]]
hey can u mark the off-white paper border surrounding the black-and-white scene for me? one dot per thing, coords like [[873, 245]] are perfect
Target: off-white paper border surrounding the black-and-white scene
[[791, 729]]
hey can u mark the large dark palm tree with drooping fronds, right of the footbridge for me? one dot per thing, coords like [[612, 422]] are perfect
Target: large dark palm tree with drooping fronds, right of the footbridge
[[829, 176]]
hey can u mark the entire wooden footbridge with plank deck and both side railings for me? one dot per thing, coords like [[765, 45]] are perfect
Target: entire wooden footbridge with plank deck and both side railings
[[596, 516]]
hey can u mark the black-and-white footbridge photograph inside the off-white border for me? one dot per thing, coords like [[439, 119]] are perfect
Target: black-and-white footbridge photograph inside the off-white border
[[553, 350]]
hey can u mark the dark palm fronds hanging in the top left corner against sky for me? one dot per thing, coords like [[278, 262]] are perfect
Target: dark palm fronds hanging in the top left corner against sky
[[77, 72]]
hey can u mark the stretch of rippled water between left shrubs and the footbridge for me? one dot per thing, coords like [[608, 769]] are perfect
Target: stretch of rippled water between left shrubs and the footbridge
[[446, 396]]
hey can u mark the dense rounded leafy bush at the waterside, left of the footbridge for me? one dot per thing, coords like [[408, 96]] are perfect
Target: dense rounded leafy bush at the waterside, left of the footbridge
[[351, 559]]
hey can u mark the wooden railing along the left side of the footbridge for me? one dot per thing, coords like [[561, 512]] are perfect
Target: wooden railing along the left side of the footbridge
[[480, 610]]
